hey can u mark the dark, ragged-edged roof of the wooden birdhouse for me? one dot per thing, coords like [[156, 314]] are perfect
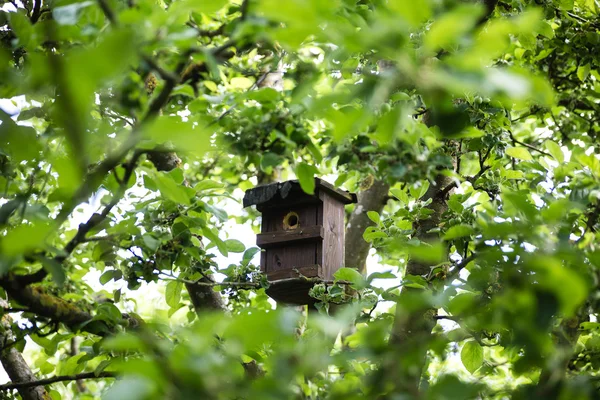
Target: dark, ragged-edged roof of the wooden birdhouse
[[276, 192]]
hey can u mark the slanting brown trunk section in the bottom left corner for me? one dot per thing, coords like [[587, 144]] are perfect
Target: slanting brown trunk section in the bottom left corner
[[13, 362]]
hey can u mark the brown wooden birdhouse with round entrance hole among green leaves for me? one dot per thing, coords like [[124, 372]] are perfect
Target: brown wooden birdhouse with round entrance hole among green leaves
[[302, 235]]
